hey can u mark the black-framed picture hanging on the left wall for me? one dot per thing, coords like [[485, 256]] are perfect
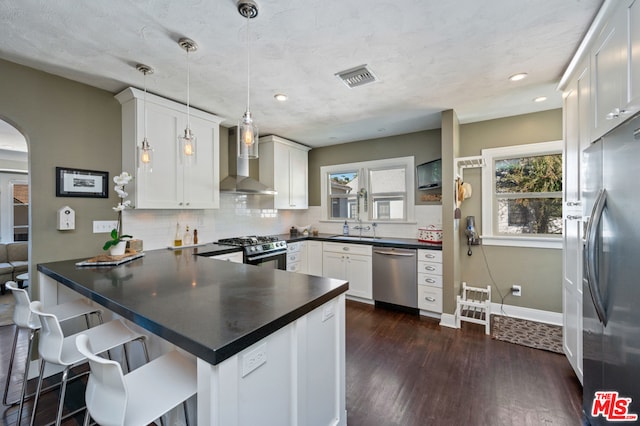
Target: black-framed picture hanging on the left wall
[[81, 183]]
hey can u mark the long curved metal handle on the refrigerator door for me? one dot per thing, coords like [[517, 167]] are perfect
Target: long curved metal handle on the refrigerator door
[[590, 249]]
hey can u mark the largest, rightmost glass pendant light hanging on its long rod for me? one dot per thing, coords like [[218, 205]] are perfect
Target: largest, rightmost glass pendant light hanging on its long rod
[[247, 130]]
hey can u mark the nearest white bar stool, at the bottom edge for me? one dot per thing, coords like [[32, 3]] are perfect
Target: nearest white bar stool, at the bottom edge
[[140, 397]]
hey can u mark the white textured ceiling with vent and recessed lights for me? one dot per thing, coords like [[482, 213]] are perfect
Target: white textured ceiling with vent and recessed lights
[[430, 55]]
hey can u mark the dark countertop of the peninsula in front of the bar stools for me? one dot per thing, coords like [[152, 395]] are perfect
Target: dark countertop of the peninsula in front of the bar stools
[[210, 308]]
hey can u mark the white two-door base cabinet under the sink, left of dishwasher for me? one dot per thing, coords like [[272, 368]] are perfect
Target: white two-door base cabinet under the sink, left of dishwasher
[[351, 262]]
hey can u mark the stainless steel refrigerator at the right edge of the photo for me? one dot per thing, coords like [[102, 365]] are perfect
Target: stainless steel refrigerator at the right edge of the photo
[[611, 280]]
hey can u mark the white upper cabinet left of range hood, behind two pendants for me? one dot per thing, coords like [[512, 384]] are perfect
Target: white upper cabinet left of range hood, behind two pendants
[[172, 184]]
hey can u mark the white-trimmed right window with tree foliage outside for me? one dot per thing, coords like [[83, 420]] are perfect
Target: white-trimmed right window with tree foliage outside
[[522, 195]]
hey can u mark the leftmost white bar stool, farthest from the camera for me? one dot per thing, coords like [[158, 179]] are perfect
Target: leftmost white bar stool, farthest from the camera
[[24, 319]]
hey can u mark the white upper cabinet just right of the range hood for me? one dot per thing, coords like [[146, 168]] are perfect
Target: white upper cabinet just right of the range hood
[[284, 167]]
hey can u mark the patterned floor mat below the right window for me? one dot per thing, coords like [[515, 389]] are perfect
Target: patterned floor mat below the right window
[[528, 333]]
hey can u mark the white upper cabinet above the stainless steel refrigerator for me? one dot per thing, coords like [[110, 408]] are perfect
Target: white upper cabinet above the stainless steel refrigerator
[[615, 65]]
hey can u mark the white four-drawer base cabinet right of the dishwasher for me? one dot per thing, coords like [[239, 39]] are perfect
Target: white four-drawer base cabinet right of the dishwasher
[[430, 280]]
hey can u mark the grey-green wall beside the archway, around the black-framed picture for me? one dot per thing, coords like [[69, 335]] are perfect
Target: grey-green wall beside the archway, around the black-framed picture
[[66, 124]]
